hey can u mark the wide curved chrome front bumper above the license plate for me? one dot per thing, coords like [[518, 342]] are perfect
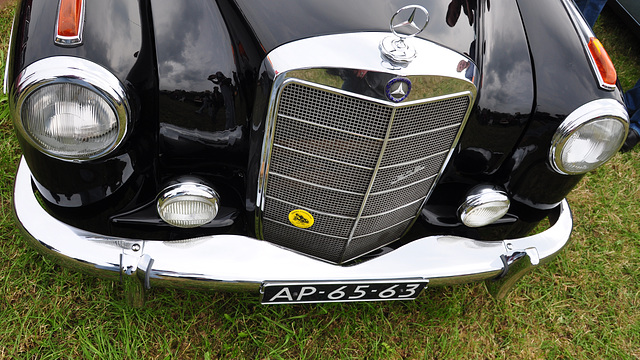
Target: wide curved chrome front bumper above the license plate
[[232, 262]]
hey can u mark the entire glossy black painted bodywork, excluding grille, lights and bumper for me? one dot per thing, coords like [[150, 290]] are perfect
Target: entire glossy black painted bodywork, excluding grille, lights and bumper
[[170, 53]]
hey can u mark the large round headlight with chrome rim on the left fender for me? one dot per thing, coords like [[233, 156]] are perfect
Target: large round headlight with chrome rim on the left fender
[[71, 108]]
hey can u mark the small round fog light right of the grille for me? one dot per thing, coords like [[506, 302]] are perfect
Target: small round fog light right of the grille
[[483, 206]]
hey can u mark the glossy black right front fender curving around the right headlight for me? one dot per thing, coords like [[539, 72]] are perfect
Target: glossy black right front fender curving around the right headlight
[[560, 70]]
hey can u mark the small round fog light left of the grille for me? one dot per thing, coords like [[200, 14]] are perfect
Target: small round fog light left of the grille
[[188, 205]]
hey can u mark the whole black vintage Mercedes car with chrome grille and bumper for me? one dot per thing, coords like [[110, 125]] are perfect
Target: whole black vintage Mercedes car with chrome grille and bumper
[[309, 151]]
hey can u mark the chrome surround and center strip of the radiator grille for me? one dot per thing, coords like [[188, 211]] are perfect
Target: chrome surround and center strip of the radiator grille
[[306, 62]]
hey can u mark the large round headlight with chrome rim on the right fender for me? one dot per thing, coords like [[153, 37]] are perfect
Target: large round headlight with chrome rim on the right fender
[[589, 137]]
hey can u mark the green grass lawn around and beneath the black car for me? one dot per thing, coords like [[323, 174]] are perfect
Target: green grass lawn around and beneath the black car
[[585, 304]]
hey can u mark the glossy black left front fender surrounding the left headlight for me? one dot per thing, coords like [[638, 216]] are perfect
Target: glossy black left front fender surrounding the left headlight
[[79, 193]]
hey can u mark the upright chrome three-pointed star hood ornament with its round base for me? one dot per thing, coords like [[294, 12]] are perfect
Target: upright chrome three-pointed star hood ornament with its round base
[[407, 22]]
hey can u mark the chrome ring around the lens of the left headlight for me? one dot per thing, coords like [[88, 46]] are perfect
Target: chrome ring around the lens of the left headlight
[[79, 73]]
